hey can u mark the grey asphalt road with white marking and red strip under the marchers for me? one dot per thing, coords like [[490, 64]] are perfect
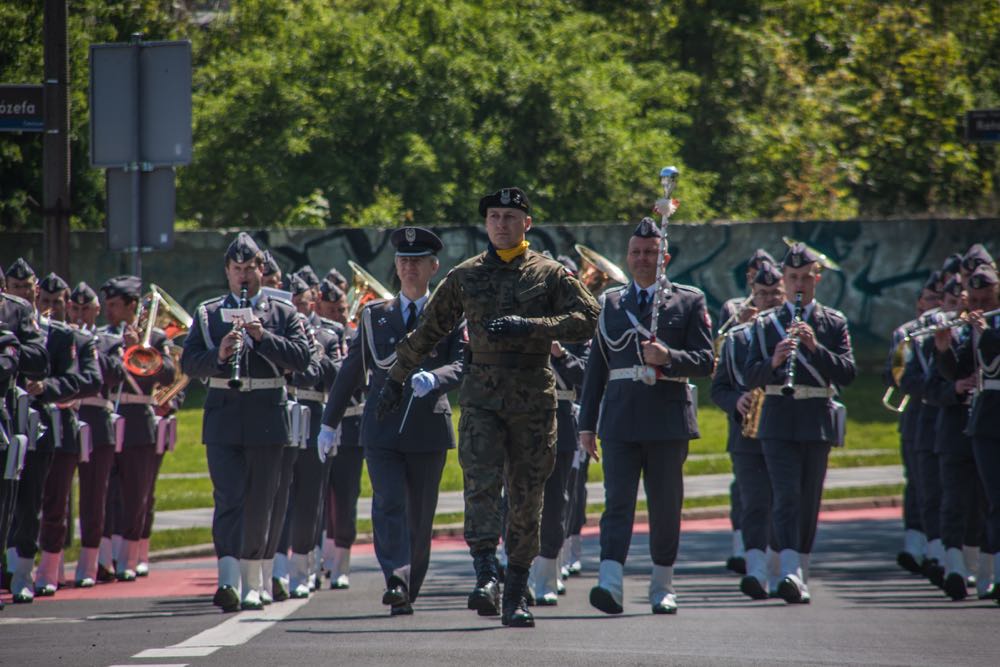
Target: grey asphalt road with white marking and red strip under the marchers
[[864, 611]]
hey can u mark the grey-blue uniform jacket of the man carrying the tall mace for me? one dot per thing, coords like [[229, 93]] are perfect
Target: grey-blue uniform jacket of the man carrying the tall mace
[[628, 410]]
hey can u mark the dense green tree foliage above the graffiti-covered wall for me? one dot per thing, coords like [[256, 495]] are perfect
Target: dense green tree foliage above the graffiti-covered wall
[[368, 112]]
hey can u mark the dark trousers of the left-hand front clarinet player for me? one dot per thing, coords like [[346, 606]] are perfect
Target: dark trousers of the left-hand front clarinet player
[[244, 483]]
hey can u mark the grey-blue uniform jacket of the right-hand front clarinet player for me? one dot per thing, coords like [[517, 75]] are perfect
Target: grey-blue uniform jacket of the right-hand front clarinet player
[[787, 417]]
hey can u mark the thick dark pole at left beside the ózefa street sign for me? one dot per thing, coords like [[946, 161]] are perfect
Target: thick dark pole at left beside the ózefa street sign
[[55, 144]]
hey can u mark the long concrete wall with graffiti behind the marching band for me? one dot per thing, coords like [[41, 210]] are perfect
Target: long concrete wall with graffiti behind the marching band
[[884, 262]]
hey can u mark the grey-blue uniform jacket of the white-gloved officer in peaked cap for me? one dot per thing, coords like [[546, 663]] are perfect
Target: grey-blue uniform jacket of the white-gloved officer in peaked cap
[[371, 353]]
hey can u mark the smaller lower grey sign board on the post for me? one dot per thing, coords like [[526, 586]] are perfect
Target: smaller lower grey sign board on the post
[[156, 197]]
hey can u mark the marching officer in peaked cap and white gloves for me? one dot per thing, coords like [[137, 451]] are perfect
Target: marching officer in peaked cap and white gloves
[[406, 453]]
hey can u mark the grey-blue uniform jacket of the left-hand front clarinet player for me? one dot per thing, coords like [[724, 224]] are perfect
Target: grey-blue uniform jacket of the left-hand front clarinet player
[[256, 417]]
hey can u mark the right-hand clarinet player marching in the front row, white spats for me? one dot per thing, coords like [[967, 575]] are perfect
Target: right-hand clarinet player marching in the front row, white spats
[[800, 420]]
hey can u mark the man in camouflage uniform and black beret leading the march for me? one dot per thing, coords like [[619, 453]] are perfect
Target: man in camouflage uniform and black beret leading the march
[[516, 302]]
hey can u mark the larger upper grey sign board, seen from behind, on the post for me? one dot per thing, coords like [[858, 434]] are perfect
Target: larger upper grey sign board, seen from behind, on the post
[[140, 104]]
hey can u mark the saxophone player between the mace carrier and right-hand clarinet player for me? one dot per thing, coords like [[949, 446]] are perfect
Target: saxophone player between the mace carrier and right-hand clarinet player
[[730, 393]]
